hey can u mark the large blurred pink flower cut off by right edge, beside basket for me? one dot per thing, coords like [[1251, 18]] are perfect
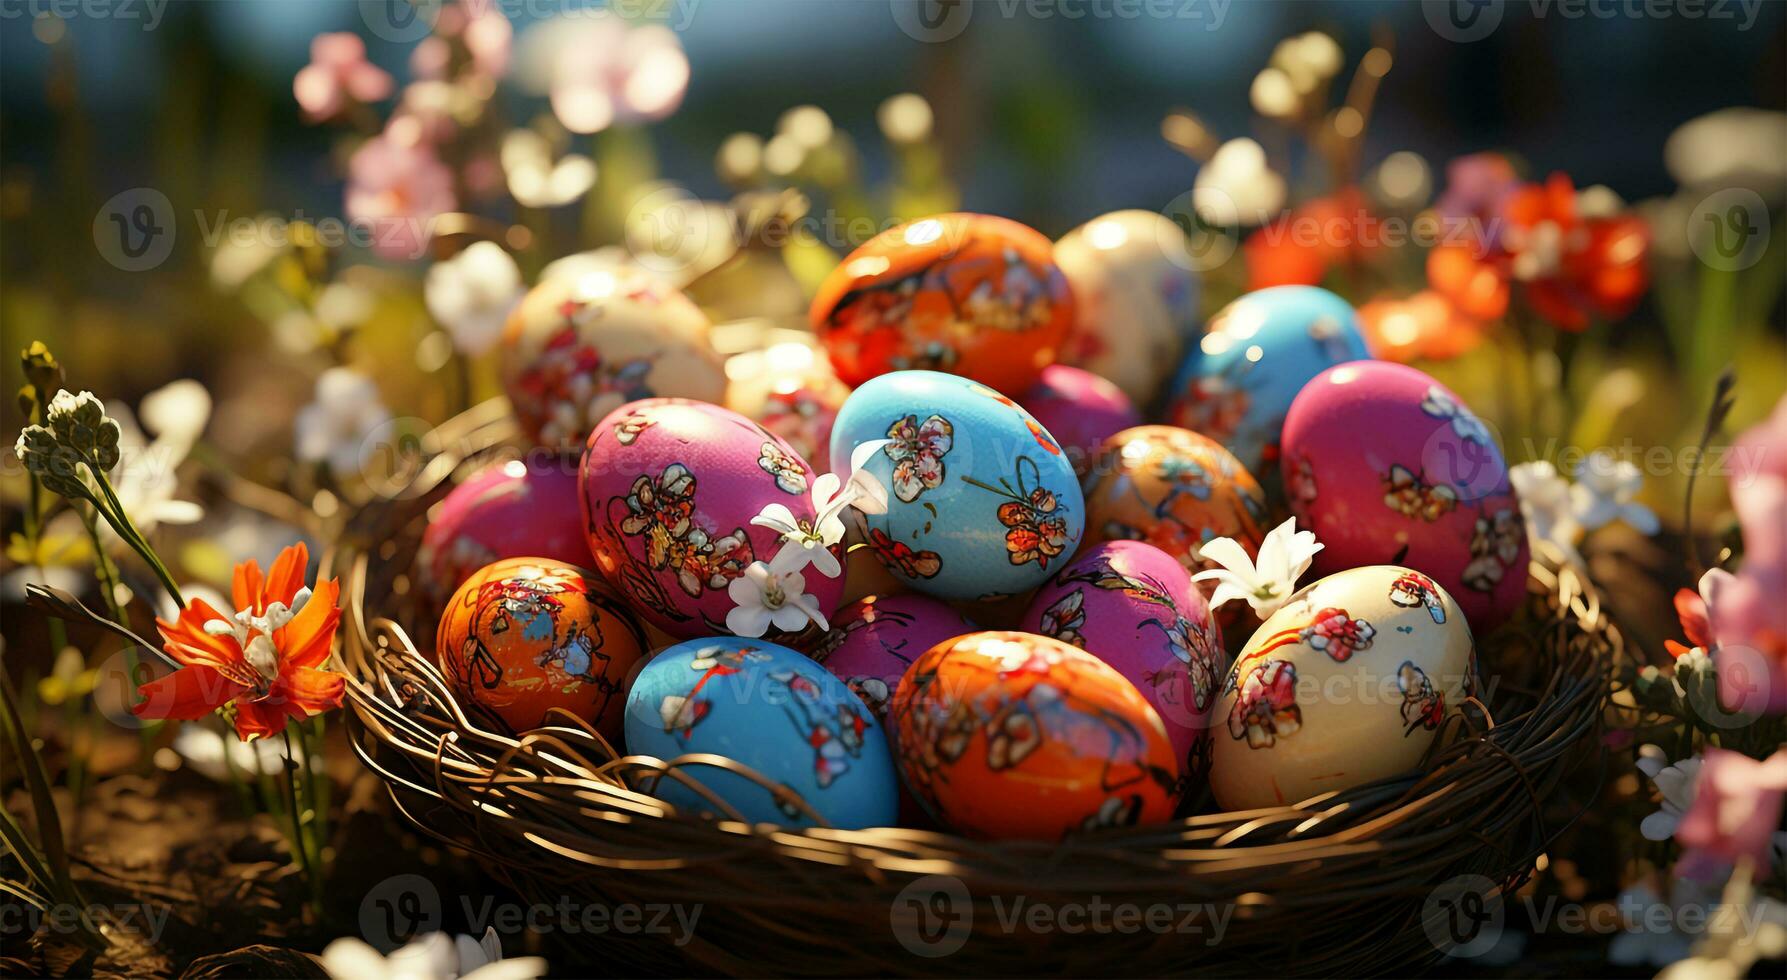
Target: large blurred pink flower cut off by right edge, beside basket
[[1745, 611]]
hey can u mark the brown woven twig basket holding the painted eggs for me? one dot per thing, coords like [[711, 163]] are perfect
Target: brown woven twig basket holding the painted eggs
[[1345, 884]]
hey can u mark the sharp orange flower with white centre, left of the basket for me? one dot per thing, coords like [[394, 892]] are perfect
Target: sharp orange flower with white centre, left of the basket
[[265, 659]]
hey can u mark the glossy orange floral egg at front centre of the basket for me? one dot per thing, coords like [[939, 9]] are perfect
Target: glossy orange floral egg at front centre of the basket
[[1023, 736]]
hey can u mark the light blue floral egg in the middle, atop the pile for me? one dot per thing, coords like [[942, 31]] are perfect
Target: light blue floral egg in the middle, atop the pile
[[982, 502]]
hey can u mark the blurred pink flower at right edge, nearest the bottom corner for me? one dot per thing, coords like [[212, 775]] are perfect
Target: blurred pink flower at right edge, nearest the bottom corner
[[1736, 813]]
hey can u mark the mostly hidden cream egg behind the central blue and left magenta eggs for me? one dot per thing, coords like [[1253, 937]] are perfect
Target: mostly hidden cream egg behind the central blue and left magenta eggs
[[793, 393]]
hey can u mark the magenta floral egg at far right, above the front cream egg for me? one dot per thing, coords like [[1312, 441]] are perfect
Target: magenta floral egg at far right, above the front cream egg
[[1388, 466]]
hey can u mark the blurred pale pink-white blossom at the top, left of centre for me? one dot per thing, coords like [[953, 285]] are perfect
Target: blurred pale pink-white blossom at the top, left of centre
[[605, 72]]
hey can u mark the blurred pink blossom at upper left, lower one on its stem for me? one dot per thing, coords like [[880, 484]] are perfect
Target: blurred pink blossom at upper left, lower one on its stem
[[396, 190]]
